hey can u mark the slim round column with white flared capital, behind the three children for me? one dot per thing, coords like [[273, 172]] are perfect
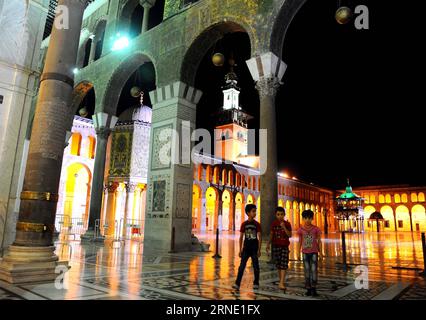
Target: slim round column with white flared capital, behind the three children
[[267, 71]]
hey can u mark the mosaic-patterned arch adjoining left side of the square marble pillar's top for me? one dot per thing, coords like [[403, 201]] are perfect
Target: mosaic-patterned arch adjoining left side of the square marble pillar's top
[[119, 78]]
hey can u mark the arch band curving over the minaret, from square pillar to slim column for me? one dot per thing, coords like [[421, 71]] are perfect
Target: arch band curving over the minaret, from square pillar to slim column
[[200, 46]]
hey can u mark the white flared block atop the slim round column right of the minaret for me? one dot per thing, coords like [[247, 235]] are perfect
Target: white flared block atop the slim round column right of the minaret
[[266, 65]]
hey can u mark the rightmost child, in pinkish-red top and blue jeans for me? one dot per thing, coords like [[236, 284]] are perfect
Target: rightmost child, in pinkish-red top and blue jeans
[[310, 247]]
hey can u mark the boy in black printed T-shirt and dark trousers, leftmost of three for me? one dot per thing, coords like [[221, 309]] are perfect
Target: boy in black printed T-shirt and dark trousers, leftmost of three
[[251, 233]]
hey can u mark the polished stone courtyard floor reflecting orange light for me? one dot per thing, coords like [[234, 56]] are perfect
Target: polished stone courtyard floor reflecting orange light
[[127, 270]]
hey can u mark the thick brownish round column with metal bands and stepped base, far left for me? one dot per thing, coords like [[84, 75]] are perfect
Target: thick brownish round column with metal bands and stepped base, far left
[[31, 257]]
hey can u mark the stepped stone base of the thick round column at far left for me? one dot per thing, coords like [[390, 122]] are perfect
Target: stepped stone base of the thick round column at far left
[[30, 264]]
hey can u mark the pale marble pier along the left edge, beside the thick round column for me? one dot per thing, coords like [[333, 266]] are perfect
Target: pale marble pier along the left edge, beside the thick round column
[[21, 35]]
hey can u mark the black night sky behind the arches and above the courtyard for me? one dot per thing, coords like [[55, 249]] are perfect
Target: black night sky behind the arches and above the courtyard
[[351, 104]]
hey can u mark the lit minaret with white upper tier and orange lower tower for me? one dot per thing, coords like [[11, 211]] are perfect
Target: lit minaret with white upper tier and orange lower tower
[[231, 131]]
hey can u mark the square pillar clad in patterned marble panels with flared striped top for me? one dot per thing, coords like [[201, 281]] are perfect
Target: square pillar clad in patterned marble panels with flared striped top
[[169, 198]]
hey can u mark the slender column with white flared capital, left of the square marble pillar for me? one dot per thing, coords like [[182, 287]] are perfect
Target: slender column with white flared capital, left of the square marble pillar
[[103, 124]]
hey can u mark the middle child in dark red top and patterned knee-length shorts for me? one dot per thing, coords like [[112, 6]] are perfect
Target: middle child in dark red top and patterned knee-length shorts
[[280, 238]]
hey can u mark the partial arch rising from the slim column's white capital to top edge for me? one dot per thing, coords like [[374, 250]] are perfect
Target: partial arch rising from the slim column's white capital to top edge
[[281, 23]]
